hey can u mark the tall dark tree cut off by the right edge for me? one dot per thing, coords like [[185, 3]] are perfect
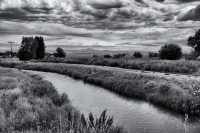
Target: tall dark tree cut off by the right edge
[[194, 42]]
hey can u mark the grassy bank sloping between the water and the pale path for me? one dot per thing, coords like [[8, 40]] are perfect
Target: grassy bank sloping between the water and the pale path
[[179, 95]]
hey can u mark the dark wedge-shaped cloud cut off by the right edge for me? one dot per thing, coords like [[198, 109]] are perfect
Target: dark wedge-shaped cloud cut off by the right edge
[[192, 14]]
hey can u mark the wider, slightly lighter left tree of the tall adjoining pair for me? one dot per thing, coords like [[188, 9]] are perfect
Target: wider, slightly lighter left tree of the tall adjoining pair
[[28, 48]]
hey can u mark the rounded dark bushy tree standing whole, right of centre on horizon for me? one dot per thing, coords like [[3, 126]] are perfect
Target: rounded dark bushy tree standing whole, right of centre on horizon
[[170, 52]]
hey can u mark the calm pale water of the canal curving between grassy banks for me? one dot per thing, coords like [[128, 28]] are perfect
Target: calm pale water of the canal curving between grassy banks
[[135, 115]]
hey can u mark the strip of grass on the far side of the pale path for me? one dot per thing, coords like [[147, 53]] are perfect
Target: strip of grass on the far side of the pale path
[[177, 66]]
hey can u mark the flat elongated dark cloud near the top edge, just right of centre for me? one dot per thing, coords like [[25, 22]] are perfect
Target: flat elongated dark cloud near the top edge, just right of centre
[[107, 5]]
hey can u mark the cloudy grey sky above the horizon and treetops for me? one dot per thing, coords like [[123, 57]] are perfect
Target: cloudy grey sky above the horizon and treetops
[[141, 24]]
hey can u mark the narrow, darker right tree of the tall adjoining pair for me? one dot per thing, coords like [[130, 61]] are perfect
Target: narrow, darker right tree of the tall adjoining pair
[[40, 52]]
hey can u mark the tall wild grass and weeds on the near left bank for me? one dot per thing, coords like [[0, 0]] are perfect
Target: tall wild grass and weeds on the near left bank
[[30, 104]]
